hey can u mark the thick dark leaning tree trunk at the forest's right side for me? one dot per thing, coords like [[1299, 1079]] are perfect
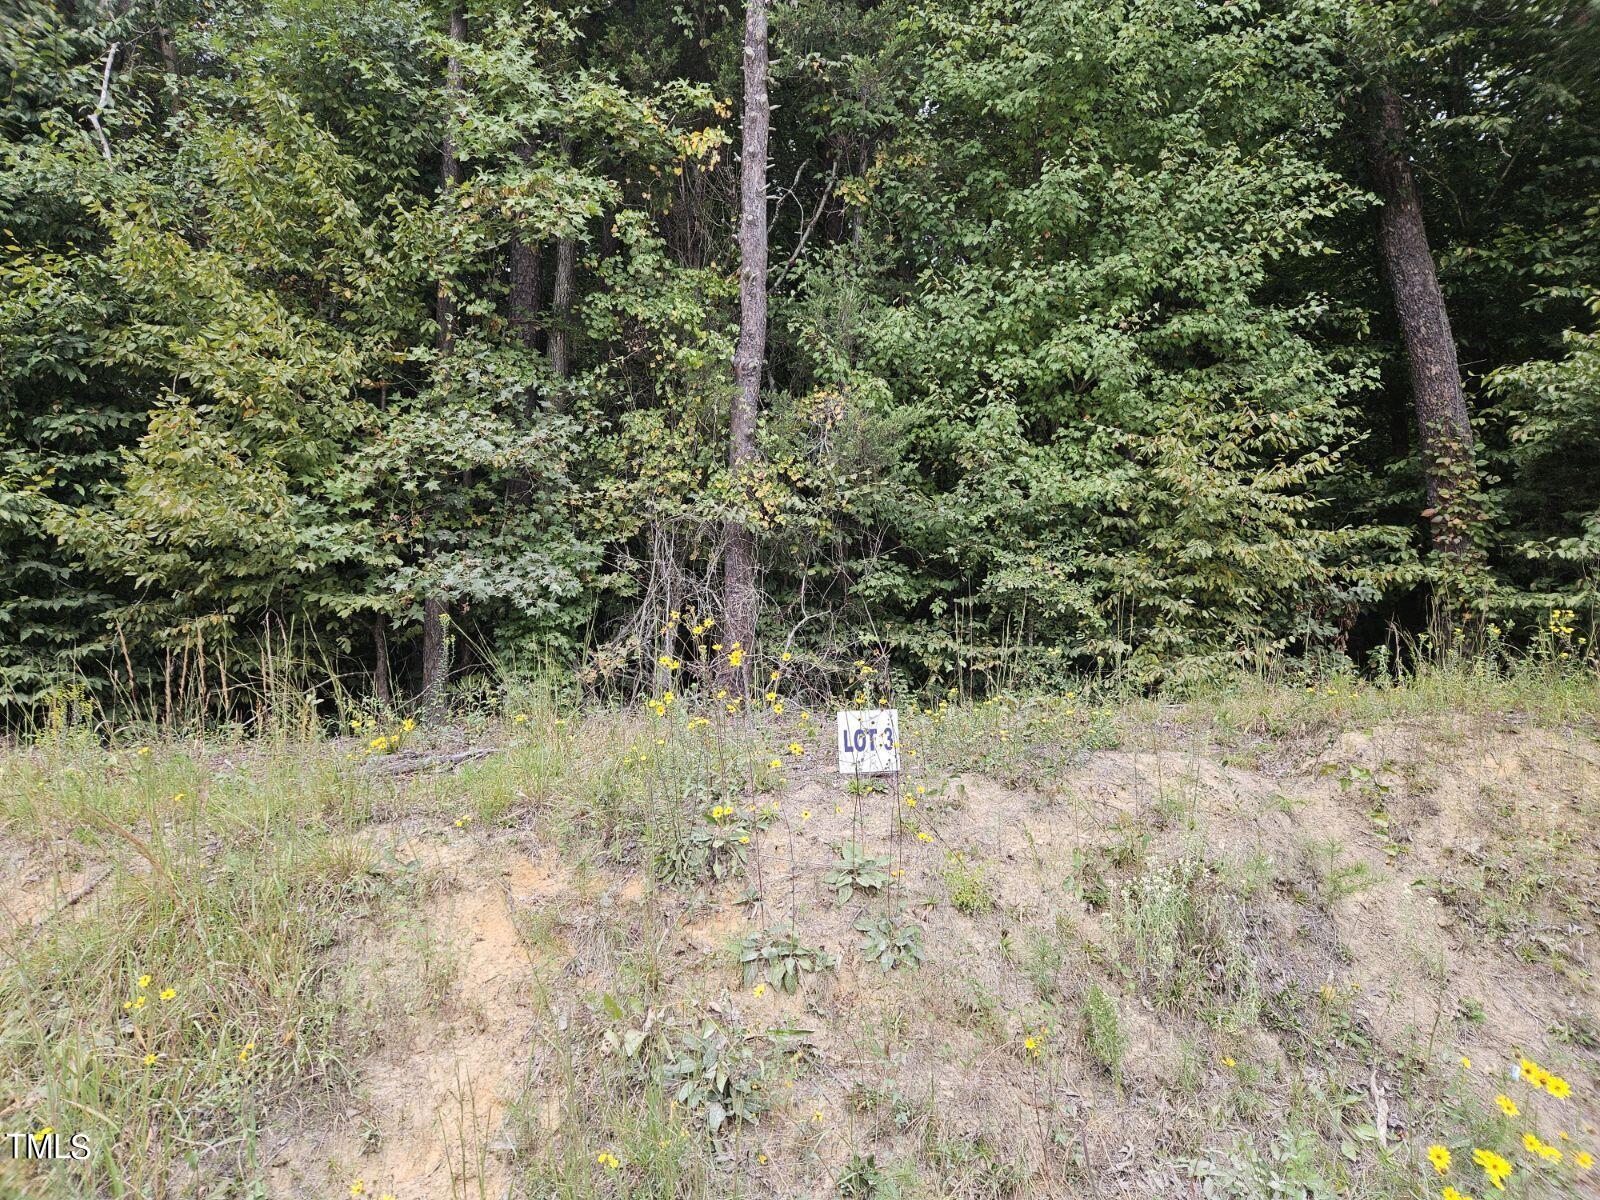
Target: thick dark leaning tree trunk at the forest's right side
[[1444, 425]]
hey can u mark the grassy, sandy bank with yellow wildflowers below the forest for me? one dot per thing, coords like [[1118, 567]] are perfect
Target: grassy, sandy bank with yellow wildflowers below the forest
[[1271, 942]]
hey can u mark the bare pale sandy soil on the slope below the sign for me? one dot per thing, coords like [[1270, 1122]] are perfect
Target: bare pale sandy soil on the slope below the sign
[[1390, 898]]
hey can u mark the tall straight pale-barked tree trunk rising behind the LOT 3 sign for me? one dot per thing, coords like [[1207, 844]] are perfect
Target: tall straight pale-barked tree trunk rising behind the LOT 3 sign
[[738, 582]]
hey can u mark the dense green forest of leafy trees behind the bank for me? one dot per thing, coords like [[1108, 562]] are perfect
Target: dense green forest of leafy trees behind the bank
[[388, 346]]
